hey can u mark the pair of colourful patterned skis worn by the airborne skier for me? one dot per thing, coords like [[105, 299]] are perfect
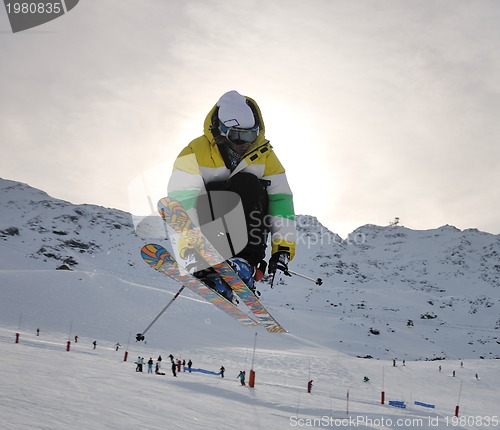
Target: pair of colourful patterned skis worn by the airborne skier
[[161, 260]]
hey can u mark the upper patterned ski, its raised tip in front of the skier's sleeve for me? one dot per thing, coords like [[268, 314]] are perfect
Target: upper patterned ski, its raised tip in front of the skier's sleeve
[[176, 216]]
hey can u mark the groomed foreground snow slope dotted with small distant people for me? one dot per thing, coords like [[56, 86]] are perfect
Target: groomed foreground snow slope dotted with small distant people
[[45, 387]]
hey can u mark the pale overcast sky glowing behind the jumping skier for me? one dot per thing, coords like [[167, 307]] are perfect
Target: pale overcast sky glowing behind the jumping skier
[[378, 109]]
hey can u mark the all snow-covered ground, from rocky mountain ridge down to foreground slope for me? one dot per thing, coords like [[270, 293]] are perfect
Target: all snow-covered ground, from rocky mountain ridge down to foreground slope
[[445, 281]]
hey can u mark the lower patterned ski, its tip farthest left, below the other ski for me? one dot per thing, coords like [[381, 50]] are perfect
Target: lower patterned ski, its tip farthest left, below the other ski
[[162, 261]]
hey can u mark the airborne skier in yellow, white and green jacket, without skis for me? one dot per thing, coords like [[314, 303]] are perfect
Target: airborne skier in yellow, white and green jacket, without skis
[[234, 155]]
